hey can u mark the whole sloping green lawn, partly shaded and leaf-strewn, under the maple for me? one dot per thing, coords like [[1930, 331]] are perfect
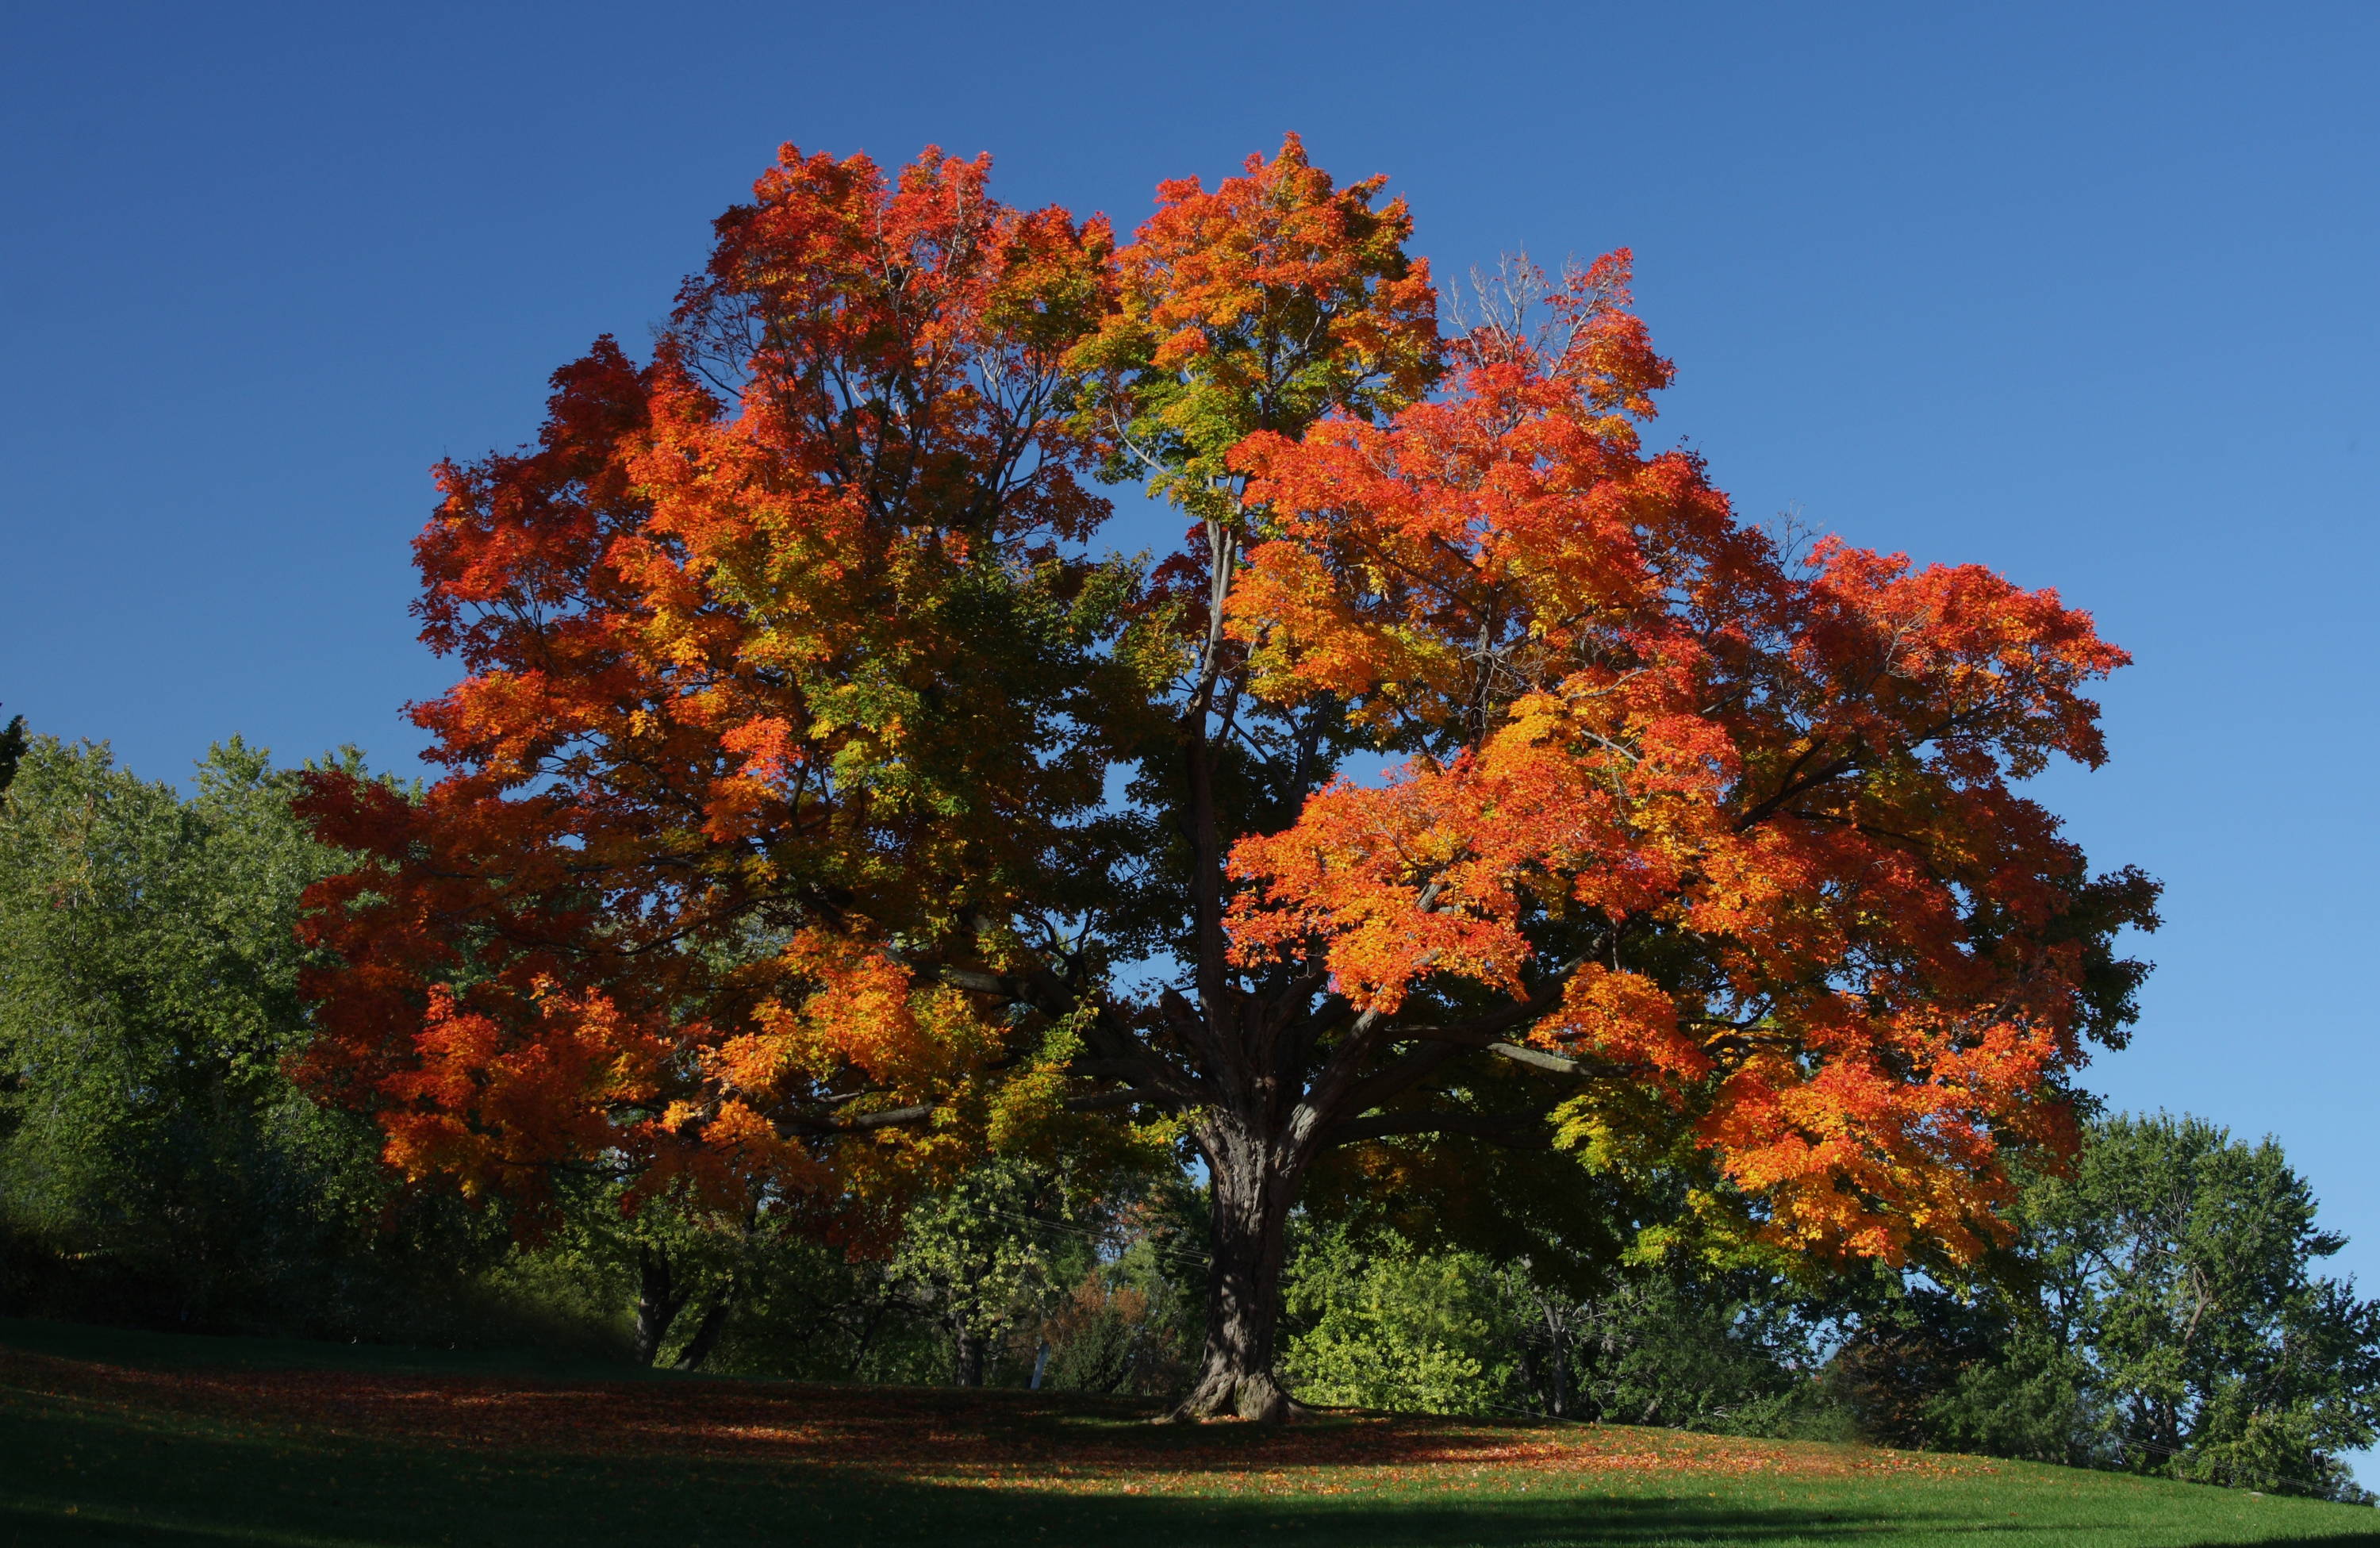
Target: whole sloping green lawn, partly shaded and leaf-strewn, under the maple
[[156, 1440]]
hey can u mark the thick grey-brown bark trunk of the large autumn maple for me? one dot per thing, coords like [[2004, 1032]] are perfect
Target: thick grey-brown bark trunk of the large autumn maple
[[1251, 1192]]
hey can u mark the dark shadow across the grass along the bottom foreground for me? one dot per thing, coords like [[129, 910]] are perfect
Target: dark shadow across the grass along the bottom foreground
[[80, 1475]]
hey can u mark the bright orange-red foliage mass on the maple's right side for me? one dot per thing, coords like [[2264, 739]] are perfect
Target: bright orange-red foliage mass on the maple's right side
[[1779, 789]]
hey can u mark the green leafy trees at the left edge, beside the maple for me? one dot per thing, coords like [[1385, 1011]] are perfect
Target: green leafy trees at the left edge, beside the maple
[[156, 1166]]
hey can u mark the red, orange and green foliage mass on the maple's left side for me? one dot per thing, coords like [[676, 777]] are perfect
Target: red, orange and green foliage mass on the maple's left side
[[727, 723]]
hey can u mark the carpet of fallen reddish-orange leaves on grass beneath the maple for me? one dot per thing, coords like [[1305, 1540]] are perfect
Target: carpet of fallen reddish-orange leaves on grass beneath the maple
[[996, 1440]]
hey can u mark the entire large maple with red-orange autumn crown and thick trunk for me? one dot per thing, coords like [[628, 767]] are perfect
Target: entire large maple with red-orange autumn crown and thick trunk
[[822, 809]]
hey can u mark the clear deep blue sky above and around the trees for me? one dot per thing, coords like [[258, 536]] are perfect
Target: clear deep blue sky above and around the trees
[[2086, 294]]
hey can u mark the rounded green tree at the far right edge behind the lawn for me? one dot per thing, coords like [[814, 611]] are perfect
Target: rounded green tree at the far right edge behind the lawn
[[2181, 1309]]
